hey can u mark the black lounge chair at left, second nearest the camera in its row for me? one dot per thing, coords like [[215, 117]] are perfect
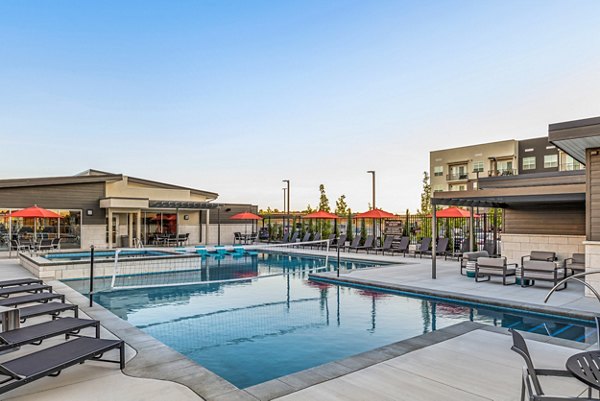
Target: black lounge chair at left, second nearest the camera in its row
[[37, 333]]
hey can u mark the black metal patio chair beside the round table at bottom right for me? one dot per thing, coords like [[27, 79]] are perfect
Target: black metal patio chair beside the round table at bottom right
[[530, 382]]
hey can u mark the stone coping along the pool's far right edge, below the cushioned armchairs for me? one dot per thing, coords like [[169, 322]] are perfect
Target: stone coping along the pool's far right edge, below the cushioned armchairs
[[456, 296]]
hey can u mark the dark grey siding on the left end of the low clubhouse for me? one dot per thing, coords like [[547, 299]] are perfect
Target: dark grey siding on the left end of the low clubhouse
[[75, 196]]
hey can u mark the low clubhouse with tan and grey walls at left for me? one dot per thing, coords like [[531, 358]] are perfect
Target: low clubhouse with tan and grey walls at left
[[108, 210]]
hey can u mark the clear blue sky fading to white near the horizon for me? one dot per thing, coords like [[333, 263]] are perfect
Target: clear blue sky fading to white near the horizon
[[235, 96]]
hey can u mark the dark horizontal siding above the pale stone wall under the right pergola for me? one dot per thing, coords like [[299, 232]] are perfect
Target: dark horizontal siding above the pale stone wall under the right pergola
[[551, 219]]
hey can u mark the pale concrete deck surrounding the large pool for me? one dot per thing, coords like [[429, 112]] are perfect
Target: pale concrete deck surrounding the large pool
[[467, 361]]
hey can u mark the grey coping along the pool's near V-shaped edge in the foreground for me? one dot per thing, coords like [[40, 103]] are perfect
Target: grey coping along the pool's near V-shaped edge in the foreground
[[156, 360]]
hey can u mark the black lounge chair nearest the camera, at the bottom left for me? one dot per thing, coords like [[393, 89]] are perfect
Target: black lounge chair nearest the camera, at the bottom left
[[51, 361]]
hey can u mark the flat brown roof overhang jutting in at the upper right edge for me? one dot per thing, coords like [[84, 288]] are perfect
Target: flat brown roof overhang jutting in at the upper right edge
[[574, 137]]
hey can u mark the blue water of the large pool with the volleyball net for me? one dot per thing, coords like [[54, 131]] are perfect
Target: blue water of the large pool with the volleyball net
[[255, 330]]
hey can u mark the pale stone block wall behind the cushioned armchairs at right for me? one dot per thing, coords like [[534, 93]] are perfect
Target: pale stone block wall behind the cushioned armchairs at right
[[514, 246]]
